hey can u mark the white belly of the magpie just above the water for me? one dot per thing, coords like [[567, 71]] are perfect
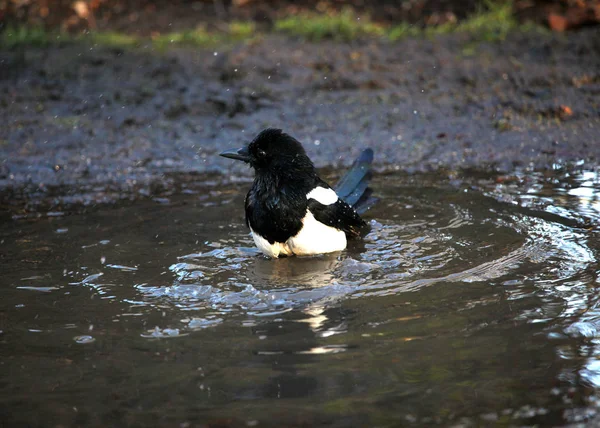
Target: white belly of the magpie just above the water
[[314, 238]]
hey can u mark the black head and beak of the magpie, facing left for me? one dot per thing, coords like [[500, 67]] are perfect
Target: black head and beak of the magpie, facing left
[[273, 150]]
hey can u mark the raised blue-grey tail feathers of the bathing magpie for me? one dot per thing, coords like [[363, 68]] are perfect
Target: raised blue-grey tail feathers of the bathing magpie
[[354, 188]]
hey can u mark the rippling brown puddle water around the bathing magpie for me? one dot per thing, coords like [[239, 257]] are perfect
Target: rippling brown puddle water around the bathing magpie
[[468, 303]]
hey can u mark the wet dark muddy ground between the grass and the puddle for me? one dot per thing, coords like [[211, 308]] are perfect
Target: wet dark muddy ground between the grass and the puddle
[[94, 124]]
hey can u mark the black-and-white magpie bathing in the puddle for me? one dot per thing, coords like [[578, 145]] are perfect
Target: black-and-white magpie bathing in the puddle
[[290, 210]]
